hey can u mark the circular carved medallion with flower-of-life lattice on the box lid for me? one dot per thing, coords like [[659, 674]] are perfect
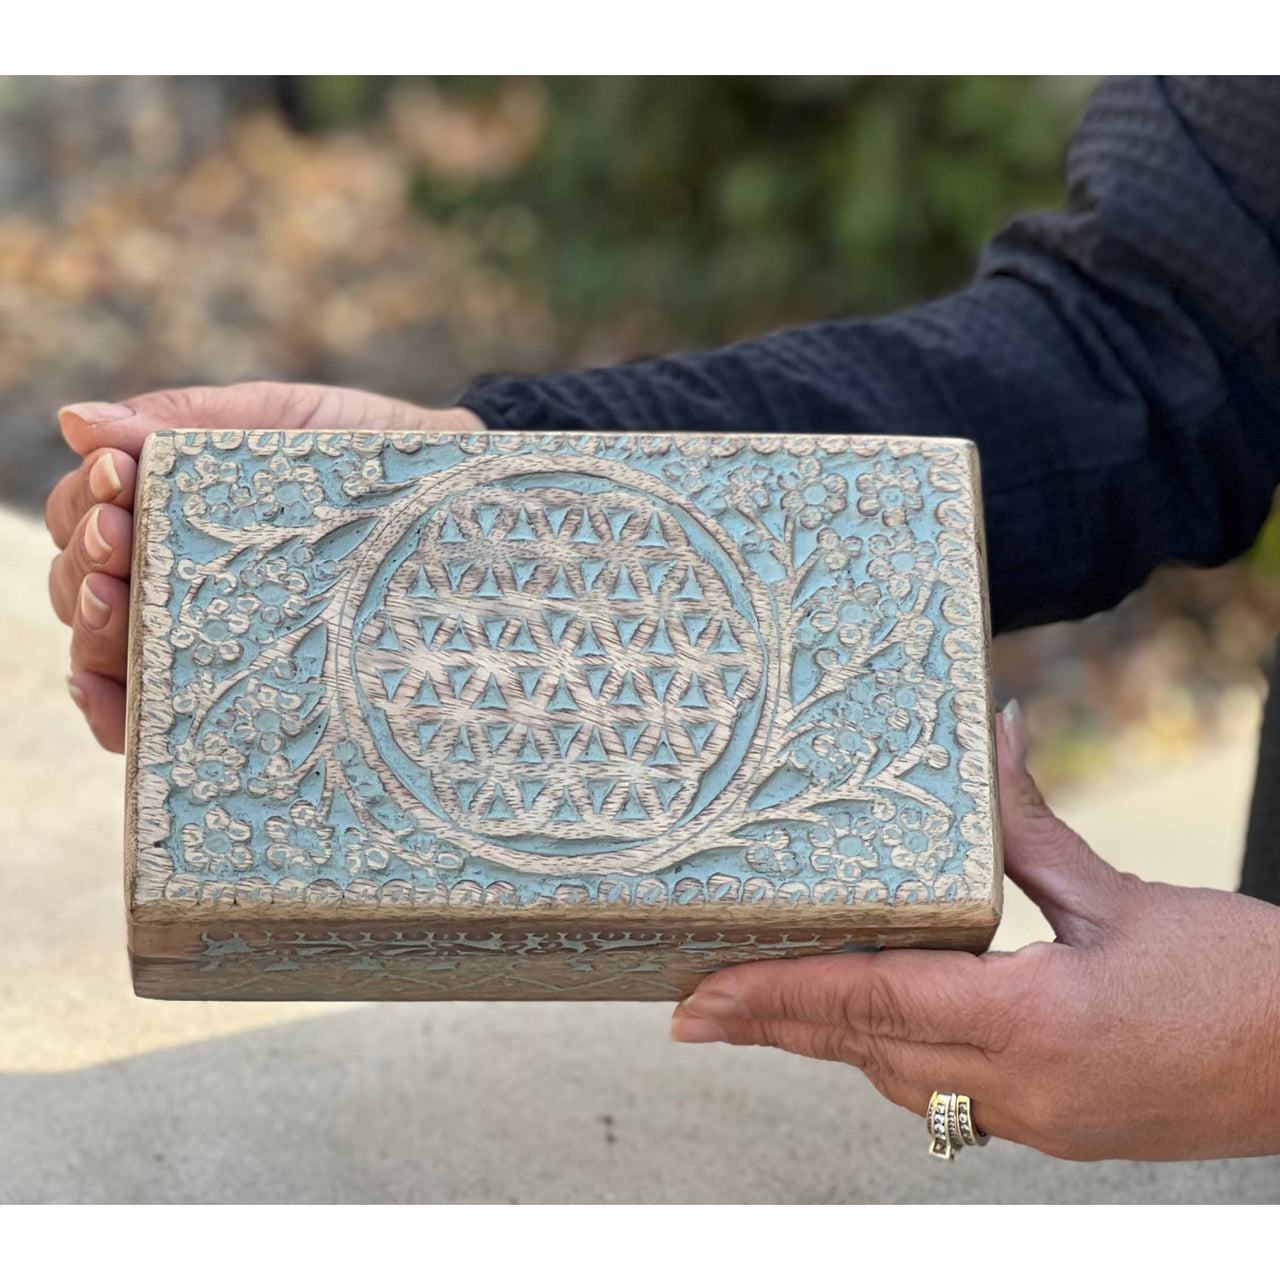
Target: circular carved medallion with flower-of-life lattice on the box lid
[[559, 666]]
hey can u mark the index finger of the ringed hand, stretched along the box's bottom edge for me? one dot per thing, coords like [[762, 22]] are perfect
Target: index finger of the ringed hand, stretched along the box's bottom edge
[[941, 998]]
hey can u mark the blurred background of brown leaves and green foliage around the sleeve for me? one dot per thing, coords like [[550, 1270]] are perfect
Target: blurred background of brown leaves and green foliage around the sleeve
[[409, 235]]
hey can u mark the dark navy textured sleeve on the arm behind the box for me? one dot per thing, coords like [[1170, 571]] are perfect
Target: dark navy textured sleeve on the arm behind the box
[[1118, 363]]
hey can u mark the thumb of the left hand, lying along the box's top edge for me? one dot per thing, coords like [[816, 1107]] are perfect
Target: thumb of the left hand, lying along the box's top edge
[[246, 406]]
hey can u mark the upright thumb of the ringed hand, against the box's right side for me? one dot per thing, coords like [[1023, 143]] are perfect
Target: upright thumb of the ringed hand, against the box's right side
[[1045, 858]]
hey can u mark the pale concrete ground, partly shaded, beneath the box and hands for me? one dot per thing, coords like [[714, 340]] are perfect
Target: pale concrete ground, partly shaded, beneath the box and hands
[[111, 1099]]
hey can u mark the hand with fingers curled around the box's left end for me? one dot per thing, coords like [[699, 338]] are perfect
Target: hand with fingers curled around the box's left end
[[90, 510]]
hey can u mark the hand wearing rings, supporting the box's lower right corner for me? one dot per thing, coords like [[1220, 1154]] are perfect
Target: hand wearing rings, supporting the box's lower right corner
[[1150, 1030]]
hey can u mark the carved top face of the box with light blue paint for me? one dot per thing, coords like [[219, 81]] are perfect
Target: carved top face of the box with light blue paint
[[775, 620]]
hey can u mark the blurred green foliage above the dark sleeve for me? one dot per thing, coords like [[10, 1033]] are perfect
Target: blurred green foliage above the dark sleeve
[[696, 209]]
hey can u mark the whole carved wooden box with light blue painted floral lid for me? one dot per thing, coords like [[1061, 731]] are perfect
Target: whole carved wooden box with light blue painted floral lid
[[551, 716]]
